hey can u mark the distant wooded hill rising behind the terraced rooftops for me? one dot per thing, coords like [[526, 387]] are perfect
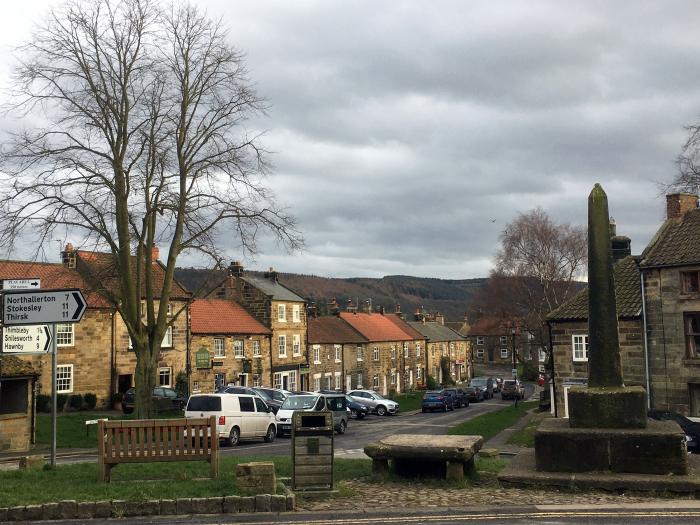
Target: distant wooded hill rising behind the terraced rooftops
[[451, 297]]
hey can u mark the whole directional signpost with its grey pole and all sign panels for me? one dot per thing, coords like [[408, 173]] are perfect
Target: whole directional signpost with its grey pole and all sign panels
[[22, 307]]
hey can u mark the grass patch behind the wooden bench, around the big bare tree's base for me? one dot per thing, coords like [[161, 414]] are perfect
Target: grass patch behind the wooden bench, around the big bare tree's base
[[71, 431]]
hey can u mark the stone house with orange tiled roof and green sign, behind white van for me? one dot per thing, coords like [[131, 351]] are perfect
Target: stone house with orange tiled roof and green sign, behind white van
[[229, 346]]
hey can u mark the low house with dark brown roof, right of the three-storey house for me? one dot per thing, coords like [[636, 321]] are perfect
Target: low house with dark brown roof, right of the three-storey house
[[334, 348]]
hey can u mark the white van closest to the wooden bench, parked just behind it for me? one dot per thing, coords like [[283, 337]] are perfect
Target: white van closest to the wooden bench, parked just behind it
[[238, 416]]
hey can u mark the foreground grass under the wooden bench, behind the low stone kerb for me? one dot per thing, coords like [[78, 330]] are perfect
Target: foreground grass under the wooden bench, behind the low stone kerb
[[145, 481]]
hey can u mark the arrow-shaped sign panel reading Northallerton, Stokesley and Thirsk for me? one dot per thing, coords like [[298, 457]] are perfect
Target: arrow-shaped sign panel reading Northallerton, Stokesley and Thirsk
[[48, 306]]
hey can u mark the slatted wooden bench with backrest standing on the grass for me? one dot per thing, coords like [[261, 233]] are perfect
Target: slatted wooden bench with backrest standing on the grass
[[154, 440]]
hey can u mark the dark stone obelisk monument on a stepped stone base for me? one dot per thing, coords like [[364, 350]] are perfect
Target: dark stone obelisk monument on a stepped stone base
[[608, 441]]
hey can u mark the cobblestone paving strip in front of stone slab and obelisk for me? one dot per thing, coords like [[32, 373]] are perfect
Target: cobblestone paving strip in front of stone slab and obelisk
[[415, 495]]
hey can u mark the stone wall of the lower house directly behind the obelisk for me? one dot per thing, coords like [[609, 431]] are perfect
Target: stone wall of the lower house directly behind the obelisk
[[568, 371]]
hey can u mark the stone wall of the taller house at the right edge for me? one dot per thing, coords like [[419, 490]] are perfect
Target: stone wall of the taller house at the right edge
[[675, 373]]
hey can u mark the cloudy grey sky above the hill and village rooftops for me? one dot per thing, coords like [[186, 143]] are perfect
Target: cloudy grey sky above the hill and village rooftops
[[406, 135]]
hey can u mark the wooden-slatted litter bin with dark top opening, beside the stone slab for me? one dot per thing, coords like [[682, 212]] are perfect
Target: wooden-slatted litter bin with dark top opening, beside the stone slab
[[312, 450]]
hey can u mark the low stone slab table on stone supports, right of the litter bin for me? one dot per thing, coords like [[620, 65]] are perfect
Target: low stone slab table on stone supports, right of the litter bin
[[416, 454]]
